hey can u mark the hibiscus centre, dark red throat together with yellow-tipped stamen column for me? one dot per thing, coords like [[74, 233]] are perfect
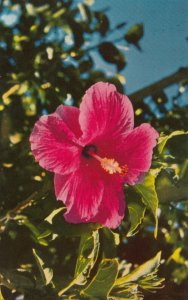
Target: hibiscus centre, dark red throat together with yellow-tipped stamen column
[[110, 165]]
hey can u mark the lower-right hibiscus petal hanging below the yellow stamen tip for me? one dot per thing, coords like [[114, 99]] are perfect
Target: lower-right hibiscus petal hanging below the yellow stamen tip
[[112, 208]]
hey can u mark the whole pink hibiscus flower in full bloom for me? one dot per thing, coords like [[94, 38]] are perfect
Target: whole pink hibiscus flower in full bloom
[[93, 152]]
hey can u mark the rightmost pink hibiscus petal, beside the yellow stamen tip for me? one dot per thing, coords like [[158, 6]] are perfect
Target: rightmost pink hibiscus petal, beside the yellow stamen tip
[[135, 150]]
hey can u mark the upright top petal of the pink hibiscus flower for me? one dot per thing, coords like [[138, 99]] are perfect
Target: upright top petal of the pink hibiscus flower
[[104, 111]]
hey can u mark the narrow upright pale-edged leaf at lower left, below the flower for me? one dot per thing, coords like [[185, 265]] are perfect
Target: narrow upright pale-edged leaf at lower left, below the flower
[[46, 273]]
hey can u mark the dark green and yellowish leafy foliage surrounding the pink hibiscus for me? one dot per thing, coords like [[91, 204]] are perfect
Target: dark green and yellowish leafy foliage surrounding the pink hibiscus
[[46, 58]]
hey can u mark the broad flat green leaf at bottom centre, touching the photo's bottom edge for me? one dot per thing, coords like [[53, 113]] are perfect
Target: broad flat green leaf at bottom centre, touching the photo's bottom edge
[[102, 283]]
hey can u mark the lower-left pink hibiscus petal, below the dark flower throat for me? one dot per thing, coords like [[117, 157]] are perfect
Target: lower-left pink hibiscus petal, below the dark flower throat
[[81, 192]]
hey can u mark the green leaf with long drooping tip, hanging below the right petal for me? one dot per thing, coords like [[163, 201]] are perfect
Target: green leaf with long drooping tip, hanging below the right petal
[[149, 196]]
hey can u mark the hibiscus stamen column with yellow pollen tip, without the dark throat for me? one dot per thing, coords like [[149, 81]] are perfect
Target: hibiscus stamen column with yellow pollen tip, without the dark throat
[[110, 165]]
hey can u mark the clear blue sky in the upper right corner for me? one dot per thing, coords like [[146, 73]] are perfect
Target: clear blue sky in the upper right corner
[[165, 48]]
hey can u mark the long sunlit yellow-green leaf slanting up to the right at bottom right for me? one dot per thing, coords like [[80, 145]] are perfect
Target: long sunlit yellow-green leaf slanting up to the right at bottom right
[[142, 271]]
